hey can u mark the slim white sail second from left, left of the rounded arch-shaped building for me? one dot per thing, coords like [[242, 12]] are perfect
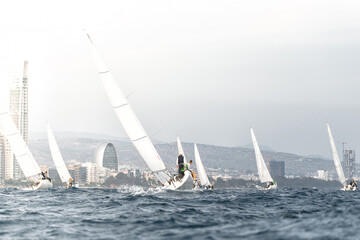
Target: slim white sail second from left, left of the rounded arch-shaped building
[[57, 158]]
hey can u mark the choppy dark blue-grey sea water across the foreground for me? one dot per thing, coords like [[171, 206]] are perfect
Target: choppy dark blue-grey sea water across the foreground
[[140, 213]]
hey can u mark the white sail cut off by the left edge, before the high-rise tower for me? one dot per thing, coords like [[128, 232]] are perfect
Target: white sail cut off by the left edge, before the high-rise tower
[[26, 161]]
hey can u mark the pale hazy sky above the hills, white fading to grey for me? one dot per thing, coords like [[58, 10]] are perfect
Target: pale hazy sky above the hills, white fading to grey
[[206, 70]]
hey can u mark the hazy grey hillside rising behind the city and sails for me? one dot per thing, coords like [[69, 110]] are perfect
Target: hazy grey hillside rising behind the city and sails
[[238, 159]]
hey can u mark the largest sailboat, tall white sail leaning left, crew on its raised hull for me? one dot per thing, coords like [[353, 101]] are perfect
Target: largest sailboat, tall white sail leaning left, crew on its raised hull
[[133, 127]]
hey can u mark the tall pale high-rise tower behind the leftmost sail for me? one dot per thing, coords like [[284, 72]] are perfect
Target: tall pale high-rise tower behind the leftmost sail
[[18, 108]]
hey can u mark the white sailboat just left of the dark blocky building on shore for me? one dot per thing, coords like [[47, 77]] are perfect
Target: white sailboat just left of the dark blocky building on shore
[[263, 171]]
